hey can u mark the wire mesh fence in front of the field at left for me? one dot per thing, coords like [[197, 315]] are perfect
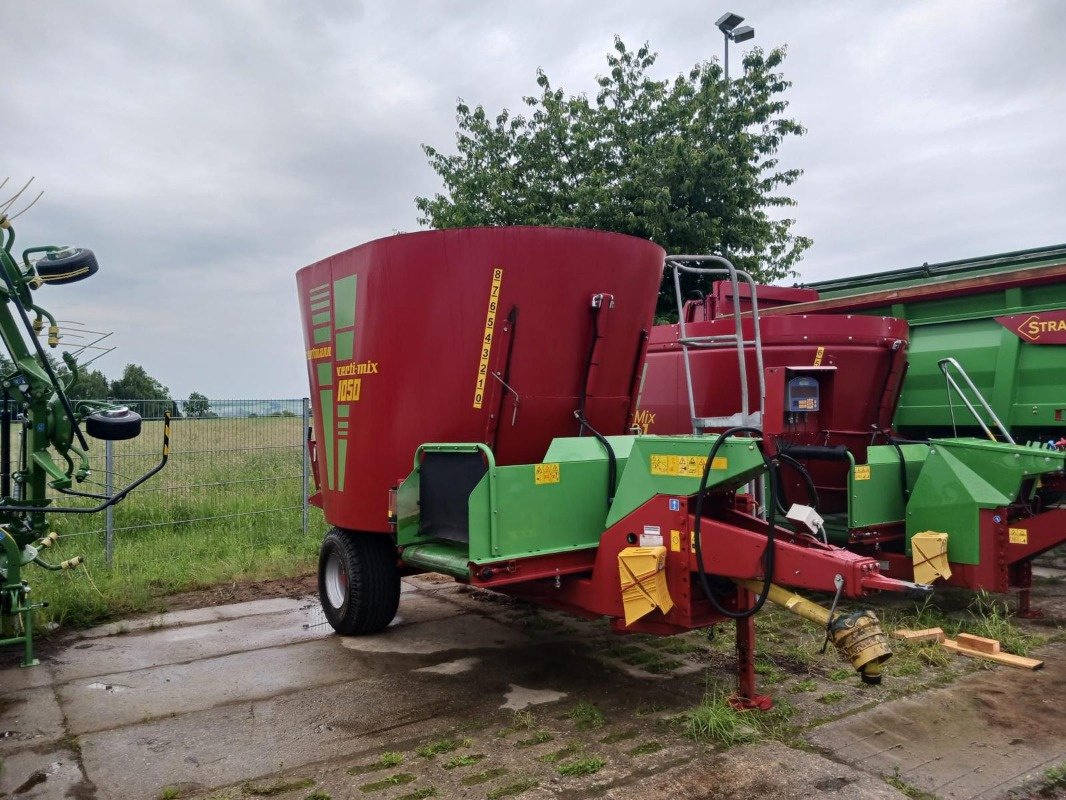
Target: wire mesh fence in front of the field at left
[[233, 465]]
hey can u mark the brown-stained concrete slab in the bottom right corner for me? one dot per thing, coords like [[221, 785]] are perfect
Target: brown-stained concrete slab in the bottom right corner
[[989, 733]]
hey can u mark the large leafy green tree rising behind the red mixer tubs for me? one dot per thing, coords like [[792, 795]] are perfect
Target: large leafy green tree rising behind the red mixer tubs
[[690, 164]]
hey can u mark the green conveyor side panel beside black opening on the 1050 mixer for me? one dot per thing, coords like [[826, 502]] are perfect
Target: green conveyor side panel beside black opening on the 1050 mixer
[[538, 520]]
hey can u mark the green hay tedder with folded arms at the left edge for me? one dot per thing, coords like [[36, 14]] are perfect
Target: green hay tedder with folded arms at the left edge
[[53, 455]]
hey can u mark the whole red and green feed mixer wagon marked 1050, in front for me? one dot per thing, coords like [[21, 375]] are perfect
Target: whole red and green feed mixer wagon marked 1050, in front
[[475, 398]]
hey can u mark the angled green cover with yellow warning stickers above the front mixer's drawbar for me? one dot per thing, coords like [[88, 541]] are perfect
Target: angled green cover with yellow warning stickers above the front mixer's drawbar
[[652, 457]]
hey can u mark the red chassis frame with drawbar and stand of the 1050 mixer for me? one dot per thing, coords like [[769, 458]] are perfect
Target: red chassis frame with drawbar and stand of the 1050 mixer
[[733, 541]]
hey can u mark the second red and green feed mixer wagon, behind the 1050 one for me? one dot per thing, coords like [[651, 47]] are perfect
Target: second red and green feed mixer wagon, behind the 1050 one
[[825, 386]]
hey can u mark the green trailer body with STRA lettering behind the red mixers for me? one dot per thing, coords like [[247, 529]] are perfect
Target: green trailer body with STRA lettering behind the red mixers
[[1003, 318]]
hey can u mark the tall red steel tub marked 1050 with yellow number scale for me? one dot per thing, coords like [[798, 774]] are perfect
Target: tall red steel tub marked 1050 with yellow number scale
[[405, 337]]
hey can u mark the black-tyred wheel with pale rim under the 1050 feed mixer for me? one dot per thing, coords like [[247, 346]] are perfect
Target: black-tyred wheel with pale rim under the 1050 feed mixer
[[359, 583]]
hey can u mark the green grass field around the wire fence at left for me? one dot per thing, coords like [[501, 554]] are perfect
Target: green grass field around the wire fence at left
[[227, 508]]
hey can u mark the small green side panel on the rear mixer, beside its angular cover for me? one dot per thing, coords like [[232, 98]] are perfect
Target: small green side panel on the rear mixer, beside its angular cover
[[879, 499]]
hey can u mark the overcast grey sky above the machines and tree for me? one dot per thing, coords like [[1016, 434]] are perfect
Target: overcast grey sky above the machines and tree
[[206, 151]]
